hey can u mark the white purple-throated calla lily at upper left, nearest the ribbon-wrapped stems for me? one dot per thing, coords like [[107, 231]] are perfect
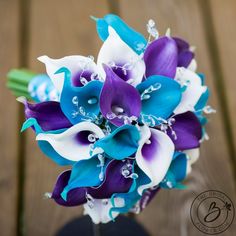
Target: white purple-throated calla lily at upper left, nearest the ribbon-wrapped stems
[[79, 66]]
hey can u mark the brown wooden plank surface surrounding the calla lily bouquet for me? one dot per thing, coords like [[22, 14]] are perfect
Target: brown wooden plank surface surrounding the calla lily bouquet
[[30, 28]]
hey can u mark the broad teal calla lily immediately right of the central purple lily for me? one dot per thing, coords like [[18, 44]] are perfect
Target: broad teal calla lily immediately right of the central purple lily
[[160, 102]]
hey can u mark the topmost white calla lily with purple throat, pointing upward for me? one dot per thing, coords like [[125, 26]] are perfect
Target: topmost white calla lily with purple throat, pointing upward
[[122, 59]]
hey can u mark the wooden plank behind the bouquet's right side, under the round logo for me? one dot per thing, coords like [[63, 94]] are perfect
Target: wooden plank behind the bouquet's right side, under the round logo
[[168, 214]]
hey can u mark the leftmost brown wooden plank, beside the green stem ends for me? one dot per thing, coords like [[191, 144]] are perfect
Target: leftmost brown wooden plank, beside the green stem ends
[[9, 57]]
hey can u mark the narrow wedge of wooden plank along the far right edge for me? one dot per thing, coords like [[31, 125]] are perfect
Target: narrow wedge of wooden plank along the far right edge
[[224, 18]]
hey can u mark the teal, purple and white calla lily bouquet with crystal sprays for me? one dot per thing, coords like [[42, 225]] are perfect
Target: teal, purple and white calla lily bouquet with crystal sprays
[[126, 126]]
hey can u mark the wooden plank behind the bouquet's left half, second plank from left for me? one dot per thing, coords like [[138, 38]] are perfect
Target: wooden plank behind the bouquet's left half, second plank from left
[[58, 29]]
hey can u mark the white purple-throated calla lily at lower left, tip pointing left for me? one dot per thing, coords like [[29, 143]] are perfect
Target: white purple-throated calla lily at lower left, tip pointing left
[[73, 144]]
